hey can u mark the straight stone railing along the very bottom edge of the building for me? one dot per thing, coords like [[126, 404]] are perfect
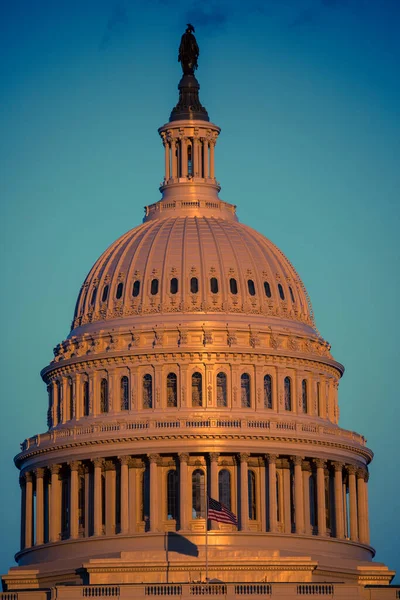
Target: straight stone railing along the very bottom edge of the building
[[227, 590]]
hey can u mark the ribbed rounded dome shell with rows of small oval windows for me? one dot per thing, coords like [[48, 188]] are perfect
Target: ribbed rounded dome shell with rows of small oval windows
[[191, 257]]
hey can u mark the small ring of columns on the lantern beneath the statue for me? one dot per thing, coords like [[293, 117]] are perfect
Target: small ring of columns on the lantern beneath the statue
[[189, 157]]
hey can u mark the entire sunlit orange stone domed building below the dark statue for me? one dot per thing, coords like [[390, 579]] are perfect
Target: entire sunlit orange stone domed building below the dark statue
[[194, 367]]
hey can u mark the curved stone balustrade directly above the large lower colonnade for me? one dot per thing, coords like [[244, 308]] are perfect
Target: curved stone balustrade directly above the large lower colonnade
[[251, 425]]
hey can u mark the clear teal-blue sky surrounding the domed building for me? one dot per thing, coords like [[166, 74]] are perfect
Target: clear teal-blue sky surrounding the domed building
[[307, 94]]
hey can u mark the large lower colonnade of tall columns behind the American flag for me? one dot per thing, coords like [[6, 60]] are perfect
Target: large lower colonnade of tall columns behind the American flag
[[128, 495]]
